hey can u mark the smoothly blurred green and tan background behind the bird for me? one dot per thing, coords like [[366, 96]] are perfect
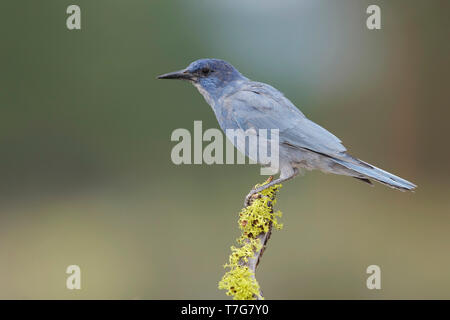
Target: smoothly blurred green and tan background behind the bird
[[85, 170]]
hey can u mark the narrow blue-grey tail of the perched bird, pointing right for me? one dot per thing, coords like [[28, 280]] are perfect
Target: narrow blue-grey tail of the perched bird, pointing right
[[368, 171]]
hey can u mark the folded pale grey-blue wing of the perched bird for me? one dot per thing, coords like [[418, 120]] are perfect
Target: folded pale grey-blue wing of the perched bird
[[260, 106]]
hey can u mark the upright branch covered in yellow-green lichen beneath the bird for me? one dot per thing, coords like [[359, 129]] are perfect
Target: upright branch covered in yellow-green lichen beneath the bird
[[256, 222]]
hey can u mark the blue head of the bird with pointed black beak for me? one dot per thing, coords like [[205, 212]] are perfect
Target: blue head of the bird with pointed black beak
[[211, 75]]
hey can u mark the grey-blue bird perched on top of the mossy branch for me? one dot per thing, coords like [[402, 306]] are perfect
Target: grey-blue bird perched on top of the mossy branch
[[240, 103]]
